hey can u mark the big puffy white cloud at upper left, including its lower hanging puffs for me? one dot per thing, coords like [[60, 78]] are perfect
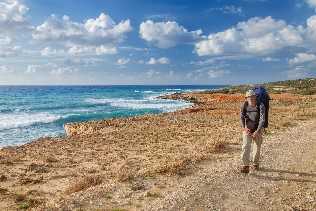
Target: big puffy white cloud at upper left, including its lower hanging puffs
[[99, 36]]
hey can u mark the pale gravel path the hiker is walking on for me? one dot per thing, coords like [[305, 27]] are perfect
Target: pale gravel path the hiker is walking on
[[286, 181]]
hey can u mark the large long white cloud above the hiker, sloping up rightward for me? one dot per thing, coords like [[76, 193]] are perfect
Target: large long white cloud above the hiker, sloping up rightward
[[255, 36]]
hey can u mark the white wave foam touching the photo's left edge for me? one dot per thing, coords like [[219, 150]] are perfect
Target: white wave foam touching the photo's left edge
[[16, 120]]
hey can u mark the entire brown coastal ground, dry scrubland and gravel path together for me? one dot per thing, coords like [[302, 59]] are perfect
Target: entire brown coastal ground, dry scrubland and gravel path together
[[187, 159]]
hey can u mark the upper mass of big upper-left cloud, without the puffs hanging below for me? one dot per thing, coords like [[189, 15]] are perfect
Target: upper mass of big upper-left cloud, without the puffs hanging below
[[101, 30]]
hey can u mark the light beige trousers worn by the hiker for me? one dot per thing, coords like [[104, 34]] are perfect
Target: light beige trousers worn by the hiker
[[246, 148]]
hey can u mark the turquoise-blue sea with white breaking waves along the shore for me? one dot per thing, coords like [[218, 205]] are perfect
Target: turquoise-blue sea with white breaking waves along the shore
[[31, 112]]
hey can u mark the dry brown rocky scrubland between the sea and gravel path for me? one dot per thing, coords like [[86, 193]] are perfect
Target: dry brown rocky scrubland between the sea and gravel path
[[127, 163]]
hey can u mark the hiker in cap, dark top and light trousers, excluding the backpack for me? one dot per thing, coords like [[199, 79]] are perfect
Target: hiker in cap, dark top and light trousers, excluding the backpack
[[252, 117]]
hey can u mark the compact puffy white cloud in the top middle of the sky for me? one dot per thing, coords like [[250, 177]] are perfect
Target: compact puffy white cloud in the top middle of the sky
[[167, 34]]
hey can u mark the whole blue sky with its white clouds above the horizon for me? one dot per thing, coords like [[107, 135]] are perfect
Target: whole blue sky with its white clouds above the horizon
[[156, 42]]
